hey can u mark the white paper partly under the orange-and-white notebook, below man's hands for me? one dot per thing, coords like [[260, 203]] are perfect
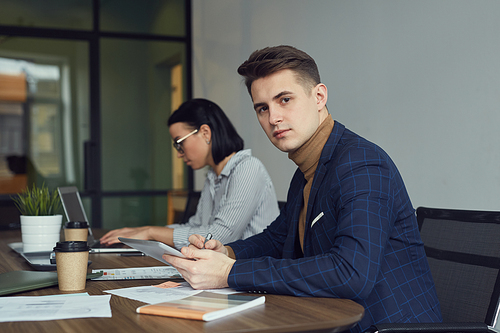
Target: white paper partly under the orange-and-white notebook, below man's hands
[[153, 295]]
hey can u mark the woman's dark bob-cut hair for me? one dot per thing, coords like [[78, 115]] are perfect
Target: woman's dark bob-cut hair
[[196, 112]]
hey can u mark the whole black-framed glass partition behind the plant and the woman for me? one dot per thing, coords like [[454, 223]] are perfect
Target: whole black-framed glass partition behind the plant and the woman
[[85, 103]]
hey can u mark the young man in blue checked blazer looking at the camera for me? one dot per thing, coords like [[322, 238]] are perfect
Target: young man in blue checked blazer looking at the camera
[[348, 229]]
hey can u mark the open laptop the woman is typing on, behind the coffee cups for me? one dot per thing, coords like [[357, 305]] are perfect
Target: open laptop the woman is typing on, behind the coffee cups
[[73, 208]]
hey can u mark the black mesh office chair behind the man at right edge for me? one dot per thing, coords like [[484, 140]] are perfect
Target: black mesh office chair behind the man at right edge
[[463, 250]]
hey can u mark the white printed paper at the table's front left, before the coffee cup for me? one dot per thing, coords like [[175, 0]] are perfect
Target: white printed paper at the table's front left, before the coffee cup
[[35, 308]]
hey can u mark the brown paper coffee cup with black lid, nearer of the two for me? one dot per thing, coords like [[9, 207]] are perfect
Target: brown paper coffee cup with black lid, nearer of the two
[[71, 261]]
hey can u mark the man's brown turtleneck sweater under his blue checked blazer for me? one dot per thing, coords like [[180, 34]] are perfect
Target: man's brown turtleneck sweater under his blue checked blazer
[[307, 158]]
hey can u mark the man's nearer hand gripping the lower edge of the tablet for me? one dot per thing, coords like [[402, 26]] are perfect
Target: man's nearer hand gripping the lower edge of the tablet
[[209, 270]]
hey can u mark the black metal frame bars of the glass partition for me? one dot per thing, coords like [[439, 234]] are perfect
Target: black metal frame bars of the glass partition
[[92, 150]]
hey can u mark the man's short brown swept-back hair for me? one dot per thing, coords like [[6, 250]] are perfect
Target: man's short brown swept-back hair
[[270, 60]]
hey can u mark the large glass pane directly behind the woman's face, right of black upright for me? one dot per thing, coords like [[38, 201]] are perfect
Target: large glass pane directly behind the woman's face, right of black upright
[[137, 99]]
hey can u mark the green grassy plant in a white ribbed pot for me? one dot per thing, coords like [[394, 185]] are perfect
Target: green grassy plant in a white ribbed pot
[[40, 218]]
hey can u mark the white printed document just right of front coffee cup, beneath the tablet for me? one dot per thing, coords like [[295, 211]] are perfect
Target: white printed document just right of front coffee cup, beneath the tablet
[[157, 272]]
